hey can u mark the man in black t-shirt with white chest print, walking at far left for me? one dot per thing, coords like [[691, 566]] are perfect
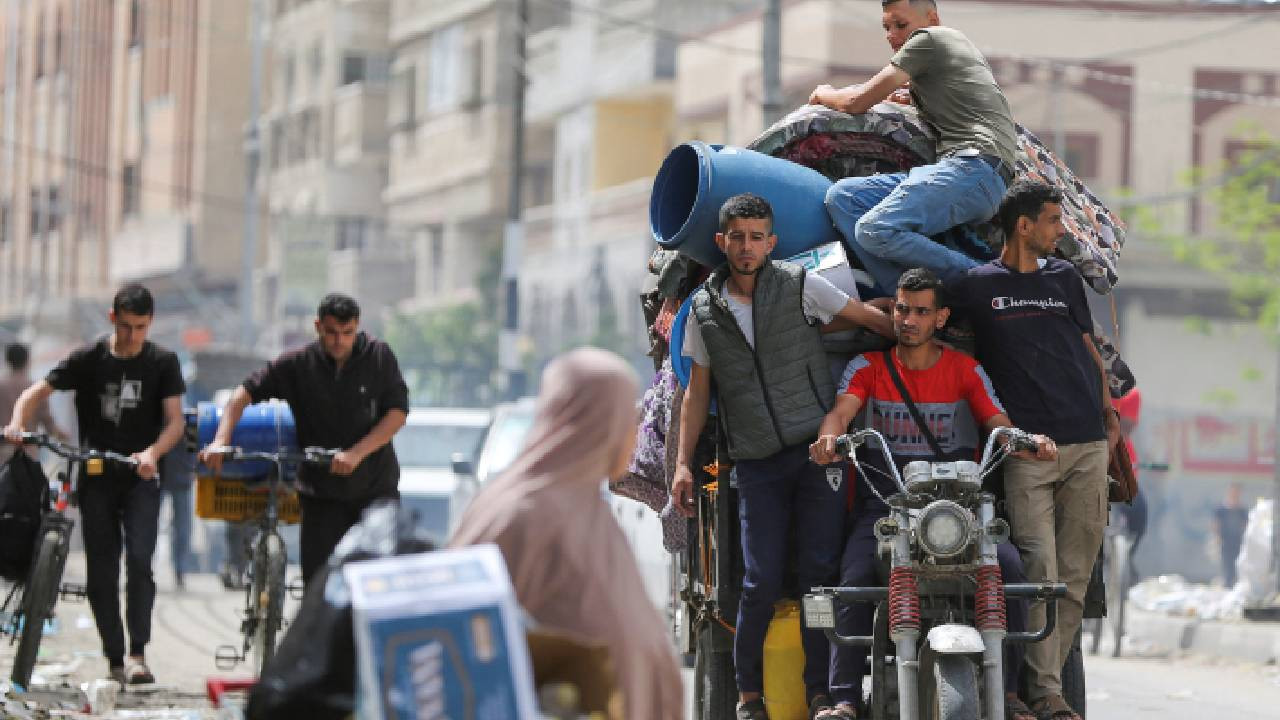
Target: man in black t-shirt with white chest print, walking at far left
[[129, 400]]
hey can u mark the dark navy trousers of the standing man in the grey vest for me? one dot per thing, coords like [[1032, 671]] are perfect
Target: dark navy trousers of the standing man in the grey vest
[[778, 496]]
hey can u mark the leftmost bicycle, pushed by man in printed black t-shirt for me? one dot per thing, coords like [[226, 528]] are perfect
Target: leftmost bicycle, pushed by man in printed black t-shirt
[[38, 595]]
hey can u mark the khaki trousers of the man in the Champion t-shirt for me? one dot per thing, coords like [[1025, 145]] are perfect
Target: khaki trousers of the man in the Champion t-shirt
[[1058, 512]]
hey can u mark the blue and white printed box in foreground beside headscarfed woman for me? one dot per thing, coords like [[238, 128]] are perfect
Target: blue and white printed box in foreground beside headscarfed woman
[[438, 635]]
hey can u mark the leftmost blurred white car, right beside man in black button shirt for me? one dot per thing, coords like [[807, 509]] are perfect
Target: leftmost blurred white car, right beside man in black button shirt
[[436, 449]]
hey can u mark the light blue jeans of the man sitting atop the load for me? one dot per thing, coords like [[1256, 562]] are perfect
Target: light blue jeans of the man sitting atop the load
[[886, 220]]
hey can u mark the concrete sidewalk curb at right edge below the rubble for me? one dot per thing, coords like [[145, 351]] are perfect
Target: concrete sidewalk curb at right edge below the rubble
[[1236, 640]]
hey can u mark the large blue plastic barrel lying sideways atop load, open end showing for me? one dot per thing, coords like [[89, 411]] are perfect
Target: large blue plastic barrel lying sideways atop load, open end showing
[[697, 179]]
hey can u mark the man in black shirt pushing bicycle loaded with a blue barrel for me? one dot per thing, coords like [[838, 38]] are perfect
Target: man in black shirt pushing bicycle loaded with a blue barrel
[[346, 393]]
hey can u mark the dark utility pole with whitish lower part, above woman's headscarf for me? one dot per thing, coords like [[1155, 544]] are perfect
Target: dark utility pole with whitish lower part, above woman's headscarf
[[514, 233]]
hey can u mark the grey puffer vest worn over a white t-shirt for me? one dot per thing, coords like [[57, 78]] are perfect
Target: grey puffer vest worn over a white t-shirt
[[776, 395]]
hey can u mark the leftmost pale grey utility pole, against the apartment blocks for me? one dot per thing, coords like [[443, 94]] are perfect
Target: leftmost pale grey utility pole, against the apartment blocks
[[253, 152]]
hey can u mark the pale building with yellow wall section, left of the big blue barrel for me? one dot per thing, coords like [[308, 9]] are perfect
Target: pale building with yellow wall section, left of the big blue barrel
[[601, 136]]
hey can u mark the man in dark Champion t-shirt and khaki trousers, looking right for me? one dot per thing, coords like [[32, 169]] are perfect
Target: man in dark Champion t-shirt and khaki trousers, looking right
[[1035, 338]]
